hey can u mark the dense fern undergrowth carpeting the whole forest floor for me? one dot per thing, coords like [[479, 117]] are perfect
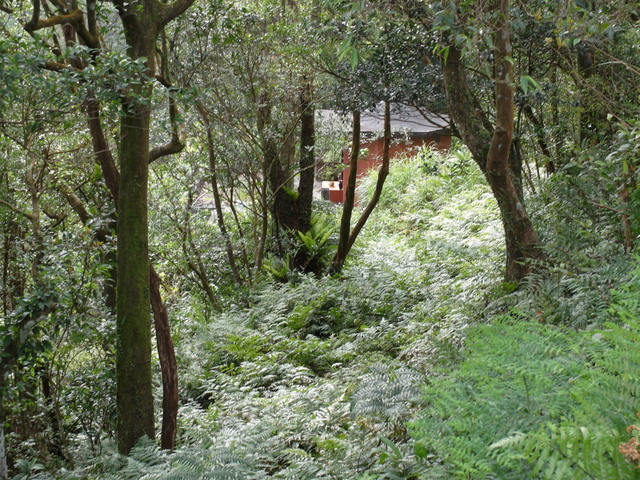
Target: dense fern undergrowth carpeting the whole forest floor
[[417, 362]]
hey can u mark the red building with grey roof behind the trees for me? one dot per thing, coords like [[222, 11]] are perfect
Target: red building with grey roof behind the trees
[[411, 130]]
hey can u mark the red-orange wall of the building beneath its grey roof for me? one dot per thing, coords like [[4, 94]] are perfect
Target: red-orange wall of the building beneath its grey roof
[[373, 160]]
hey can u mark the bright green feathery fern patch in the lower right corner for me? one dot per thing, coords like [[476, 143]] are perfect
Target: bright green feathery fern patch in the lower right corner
[[558, 399]]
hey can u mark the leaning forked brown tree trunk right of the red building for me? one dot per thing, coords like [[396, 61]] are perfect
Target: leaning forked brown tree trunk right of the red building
[[491, 152]]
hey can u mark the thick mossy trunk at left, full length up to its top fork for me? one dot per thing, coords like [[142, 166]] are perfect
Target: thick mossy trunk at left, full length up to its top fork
[[142, 22]]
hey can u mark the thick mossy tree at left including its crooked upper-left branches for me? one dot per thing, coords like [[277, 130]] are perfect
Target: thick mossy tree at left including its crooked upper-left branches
[[142, 23]]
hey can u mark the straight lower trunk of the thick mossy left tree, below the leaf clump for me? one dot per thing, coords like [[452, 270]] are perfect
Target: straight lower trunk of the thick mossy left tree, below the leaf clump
[[133, 361]]
